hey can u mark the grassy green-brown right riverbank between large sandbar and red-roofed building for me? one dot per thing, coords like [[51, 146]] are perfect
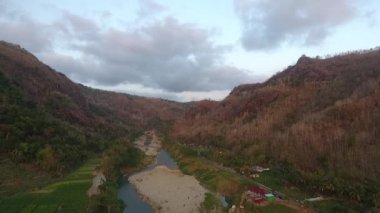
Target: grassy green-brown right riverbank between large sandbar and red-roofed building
[[221, 180]]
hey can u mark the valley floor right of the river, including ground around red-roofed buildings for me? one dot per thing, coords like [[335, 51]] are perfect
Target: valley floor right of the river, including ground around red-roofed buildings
[[224, 181]]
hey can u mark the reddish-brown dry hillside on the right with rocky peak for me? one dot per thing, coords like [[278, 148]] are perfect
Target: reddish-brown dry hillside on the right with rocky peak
[[318, 121]]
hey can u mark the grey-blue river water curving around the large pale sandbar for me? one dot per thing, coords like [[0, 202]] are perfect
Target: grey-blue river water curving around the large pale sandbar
[[128, 193]]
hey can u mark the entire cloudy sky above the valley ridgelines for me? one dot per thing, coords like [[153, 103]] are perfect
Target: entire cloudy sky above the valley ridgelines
[[184, 50]]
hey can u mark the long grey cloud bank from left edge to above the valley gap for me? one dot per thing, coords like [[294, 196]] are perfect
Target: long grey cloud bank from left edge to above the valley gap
[[162, 54]]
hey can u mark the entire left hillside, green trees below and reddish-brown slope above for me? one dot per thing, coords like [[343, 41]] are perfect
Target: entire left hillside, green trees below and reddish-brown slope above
[[49, 124]]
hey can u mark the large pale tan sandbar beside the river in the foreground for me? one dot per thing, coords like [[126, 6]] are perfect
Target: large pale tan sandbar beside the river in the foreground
[[169, 190]]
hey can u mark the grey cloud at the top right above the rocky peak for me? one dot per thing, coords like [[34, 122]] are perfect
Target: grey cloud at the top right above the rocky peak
[[267, 23]]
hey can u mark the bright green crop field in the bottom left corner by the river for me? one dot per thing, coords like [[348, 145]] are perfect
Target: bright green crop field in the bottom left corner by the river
[[68, 195]]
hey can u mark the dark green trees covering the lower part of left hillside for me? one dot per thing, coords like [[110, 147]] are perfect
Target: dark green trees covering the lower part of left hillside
[[30, 134]]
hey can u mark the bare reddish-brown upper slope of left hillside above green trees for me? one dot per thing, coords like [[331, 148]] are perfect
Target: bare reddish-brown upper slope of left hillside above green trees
[[75, 102]]
